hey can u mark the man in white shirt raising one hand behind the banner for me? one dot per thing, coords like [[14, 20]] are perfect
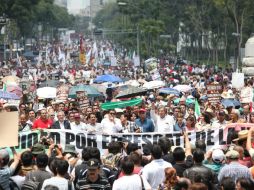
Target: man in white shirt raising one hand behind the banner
[[163, 122]]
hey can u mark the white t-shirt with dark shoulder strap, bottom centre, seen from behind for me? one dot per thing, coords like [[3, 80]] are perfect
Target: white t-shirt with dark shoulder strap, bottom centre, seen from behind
[[132, 182]]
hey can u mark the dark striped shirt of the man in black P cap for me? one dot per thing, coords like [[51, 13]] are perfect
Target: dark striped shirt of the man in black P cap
[[101, 184]]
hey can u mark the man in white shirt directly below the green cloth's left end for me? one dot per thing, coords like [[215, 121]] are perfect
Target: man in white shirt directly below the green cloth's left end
[[110, 124]]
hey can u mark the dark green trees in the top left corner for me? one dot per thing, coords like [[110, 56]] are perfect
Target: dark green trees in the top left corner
[[24, 17]]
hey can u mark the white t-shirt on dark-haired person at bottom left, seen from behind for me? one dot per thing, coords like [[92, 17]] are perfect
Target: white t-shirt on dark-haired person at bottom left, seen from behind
[[59, 182]]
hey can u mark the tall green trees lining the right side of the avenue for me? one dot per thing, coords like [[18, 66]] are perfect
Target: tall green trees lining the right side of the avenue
[[210, 30]]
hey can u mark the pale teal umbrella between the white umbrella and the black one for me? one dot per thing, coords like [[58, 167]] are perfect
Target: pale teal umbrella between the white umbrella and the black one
[[90, 91]]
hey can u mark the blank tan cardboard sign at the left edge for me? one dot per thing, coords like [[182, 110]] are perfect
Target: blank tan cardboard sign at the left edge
[[9, 129]]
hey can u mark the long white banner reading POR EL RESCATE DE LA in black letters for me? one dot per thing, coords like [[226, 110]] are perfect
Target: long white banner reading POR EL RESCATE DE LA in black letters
[[219, 137]]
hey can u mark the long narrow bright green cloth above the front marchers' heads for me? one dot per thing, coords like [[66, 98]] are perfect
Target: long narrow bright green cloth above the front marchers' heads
[[121, 104]]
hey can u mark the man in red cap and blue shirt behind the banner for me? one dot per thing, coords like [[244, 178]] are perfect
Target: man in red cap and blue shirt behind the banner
[[145, 124]]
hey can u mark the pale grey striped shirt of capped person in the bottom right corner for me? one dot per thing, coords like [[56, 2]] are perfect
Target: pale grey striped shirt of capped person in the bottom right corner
[[235, 171]]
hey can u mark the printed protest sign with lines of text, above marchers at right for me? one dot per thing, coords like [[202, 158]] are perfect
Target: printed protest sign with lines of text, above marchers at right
[[214, 92]]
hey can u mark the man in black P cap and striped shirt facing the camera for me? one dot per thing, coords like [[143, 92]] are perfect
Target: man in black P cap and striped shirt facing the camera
[[93, 179]]
